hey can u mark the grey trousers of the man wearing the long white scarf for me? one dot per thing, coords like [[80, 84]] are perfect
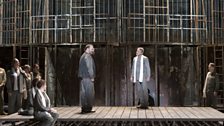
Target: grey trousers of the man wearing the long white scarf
[[142, 94]]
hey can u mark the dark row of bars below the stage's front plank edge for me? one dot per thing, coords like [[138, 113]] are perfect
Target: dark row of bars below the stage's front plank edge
[[126, 123]]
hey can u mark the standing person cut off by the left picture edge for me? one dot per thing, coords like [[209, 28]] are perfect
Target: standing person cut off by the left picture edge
[[2, 84]]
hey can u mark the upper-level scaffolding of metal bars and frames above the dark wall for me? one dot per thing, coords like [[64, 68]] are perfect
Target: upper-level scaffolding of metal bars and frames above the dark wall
[[136, 21]]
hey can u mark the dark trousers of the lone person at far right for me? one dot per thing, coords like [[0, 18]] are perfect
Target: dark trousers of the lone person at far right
[[210, 99]]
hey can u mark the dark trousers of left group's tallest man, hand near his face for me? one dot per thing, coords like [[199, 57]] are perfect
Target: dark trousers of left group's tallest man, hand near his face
[[15, 102]]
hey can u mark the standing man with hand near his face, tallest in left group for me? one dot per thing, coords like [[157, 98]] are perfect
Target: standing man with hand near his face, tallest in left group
[[15, 86]]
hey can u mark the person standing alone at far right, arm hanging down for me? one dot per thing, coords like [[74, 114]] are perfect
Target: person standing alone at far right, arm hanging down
[[211, 86]]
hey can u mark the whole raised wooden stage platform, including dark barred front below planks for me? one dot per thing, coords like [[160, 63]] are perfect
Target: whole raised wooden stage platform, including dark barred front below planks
[[131, 115]]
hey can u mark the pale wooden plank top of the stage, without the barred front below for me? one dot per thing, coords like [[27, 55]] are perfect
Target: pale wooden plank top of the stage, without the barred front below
[[123, 113]]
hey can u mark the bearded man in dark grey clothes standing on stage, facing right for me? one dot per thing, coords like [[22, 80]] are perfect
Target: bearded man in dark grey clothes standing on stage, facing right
[[87, 74]]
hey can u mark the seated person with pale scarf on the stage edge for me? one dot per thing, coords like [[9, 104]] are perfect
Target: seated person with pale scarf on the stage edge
[[42, 110]]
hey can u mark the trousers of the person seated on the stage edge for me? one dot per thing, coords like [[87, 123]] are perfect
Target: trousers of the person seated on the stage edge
[[46, 118]]
